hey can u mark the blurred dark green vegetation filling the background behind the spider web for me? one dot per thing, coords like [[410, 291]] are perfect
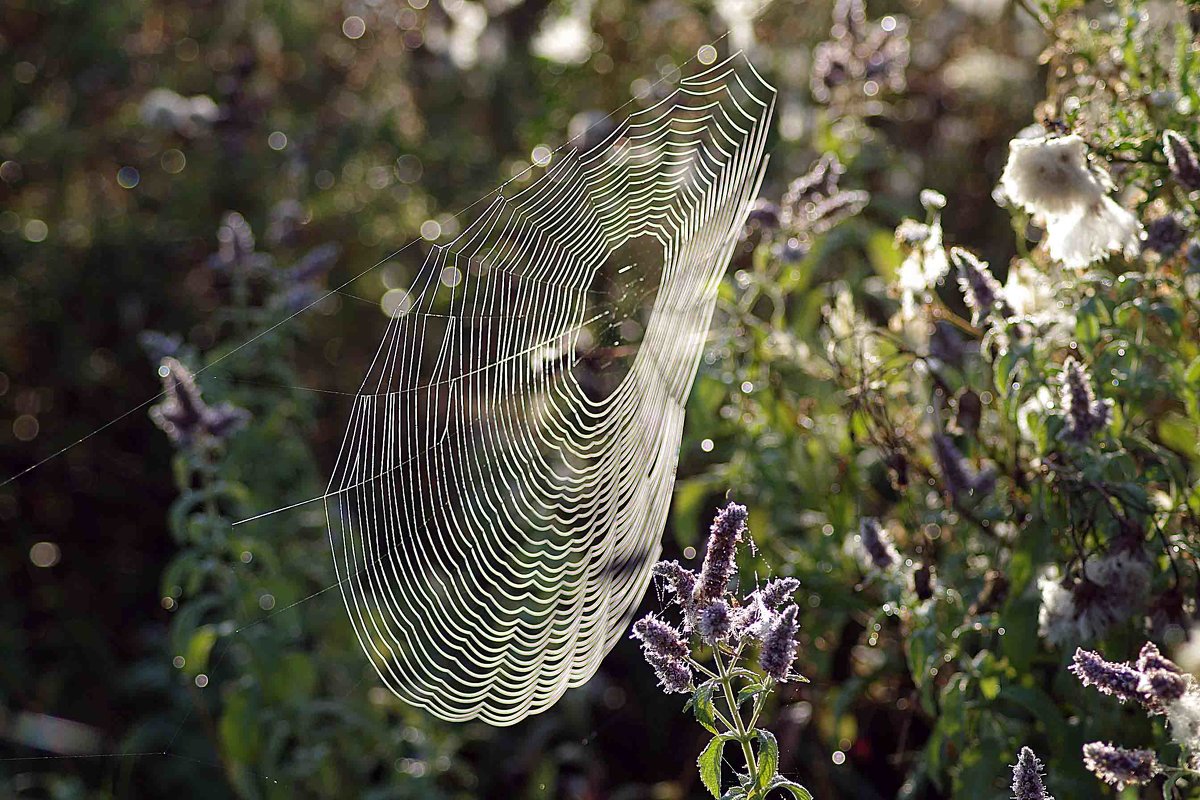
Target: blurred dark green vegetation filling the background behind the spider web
[[135, 616]]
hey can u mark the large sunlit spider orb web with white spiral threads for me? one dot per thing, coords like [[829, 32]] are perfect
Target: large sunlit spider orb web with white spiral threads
[[505, 479]]
